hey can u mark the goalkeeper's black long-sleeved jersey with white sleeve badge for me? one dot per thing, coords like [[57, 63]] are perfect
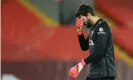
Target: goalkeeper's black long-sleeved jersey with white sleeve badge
[[100, 44]]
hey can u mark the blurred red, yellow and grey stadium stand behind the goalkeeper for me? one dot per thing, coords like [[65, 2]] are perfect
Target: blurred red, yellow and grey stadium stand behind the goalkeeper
[[39, 39]]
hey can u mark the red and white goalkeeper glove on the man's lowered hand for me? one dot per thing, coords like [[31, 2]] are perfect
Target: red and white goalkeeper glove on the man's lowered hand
[[74, 71]]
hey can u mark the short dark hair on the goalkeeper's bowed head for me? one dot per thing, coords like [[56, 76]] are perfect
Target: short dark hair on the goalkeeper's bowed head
[[84, 10]]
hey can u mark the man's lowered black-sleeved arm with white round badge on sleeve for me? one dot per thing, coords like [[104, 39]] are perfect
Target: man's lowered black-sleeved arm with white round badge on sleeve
[[99, 46]]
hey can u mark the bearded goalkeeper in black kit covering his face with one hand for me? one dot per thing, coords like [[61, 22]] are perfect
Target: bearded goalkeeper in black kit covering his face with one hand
[[100, 44]]
